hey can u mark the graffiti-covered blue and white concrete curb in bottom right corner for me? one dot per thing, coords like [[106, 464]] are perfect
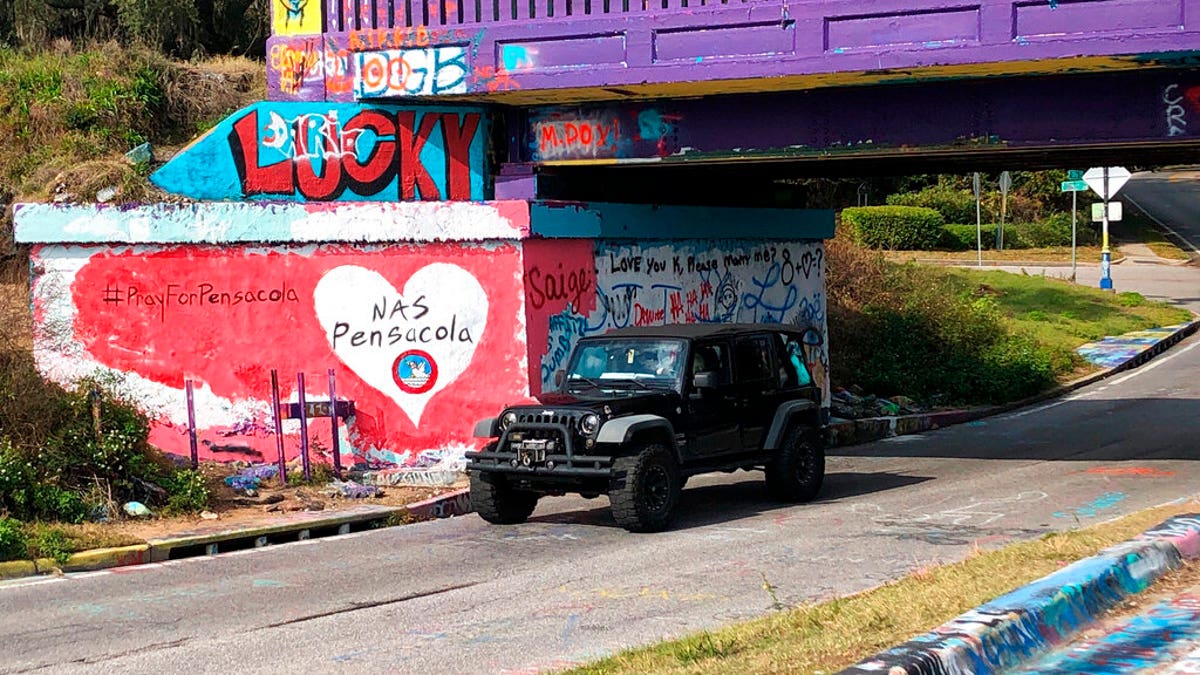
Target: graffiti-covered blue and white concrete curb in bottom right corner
[[1018, 626]]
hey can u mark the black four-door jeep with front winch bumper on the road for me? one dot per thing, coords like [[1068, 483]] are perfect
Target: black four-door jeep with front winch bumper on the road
[[640, 410]]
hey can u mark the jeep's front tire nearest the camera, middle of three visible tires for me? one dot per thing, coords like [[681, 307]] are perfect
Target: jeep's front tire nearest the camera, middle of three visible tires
[[649, 499]]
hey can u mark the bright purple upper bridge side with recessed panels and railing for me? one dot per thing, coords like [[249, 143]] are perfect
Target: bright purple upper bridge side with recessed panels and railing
[[557, 51]]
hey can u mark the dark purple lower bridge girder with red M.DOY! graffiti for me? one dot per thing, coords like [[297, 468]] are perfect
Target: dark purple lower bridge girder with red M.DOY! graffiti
[[1047, 112]]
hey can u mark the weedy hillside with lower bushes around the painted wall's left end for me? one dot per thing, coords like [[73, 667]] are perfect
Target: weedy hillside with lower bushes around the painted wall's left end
[[70, 117]]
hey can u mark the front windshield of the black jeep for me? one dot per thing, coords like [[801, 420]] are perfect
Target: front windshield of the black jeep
[[626, 365]]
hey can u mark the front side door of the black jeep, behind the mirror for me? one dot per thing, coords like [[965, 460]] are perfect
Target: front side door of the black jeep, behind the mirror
[[712, 420]]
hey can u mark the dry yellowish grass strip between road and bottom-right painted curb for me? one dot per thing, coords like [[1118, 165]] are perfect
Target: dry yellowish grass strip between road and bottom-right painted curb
[[831, 636]]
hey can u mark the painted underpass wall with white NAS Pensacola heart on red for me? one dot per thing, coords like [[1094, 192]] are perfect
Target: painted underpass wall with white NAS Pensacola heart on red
[[431, 315]]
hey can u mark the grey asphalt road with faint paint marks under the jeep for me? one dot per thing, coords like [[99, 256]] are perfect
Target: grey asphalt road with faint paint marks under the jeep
[[460, 596]]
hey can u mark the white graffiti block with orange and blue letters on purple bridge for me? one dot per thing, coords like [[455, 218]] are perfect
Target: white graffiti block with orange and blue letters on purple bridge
[[411, 73]]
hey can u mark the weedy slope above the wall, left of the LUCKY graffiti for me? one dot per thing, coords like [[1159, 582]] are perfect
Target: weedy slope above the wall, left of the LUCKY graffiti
[[73, 114]]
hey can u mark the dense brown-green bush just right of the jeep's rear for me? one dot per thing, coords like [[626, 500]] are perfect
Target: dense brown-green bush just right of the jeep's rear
[[914, 331]]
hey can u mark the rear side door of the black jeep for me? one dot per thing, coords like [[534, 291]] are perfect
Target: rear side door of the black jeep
[[757, 387]]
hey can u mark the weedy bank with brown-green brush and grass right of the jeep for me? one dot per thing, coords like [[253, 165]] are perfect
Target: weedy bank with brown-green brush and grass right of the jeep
[[955, 337]]
